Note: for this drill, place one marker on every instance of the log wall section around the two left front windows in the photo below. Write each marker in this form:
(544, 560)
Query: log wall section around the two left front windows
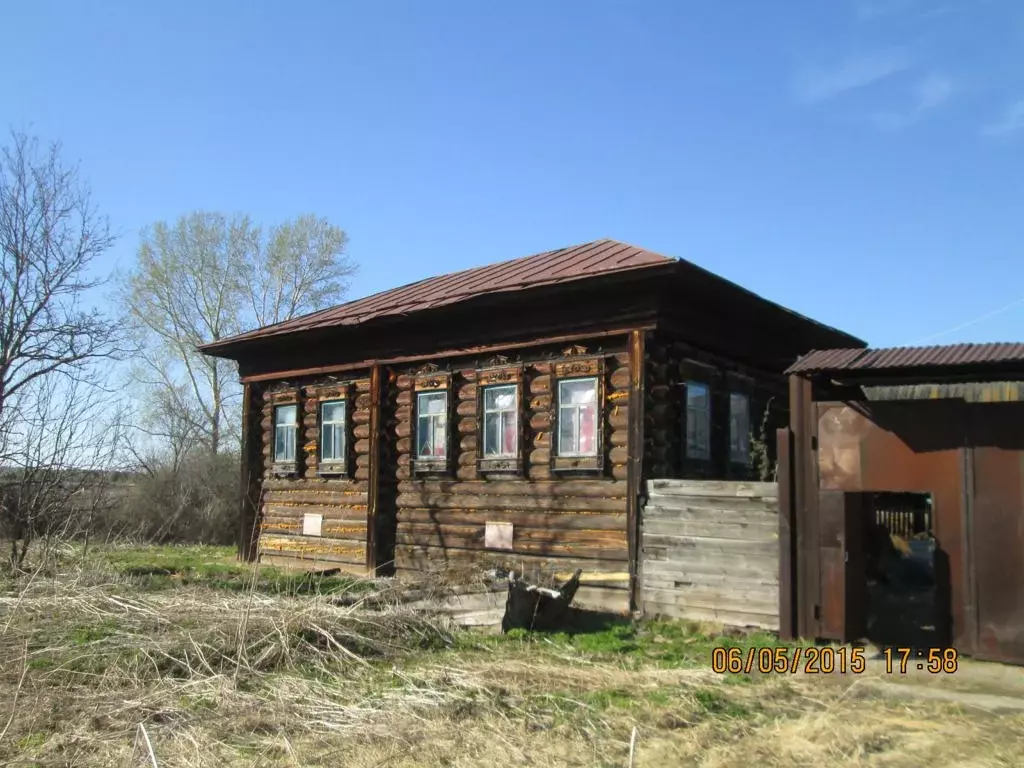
(342, 500)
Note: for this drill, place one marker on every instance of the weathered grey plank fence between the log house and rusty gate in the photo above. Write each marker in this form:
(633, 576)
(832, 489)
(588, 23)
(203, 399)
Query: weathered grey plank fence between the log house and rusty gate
(710, 552)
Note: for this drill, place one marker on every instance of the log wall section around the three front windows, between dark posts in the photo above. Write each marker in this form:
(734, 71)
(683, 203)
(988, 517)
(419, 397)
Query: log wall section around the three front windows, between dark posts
(561, 522)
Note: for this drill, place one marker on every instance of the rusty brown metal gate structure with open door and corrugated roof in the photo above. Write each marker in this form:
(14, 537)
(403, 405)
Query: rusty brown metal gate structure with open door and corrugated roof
(925, 445)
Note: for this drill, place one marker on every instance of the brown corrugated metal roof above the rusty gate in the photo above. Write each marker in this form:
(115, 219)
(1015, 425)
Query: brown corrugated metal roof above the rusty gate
(953, 356)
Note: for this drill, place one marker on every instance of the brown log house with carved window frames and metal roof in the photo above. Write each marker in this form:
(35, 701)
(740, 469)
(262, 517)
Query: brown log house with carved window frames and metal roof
(507, 416)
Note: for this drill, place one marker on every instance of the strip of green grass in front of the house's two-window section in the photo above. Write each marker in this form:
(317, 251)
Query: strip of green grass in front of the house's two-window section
(162, 568)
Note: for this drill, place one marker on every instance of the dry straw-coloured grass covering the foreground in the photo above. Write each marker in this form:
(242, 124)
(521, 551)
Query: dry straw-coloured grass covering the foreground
(102, 671)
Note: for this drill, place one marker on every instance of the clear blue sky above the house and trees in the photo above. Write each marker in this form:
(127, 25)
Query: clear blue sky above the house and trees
(860, 161)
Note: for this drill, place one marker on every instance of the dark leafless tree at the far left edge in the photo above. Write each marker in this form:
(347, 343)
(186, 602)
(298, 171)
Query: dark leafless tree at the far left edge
(51, 347)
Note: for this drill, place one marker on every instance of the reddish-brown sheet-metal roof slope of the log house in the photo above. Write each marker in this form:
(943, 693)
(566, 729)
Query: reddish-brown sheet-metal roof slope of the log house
(564, 266)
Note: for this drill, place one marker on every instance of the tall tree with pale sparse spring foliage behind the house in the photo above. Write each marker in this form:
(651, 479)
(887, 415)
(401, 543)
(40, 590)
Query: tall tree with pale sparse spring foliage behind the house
(208, 277)
